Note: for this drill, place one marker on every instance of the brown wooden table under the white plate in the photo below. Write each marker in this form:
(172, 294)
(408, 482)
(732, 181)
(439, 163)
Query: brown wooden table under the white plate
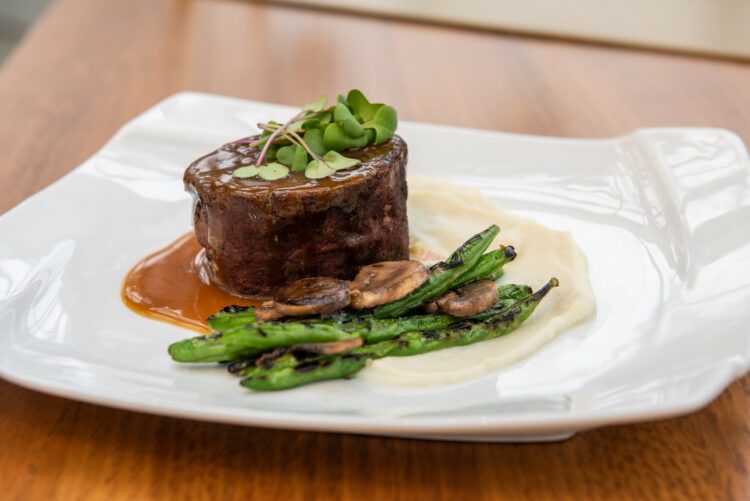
(90, 65)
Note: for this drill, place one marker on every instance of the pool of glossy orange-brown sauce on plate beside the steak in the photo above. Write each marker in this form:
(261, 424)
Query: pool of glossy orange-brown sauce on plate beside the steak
(167, 286)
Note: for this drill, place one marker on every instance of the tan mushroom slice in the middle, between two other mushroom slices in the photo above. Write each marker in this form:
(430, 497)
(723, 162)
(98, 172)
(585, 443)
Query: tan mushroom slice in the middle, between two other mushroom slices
(382, 283)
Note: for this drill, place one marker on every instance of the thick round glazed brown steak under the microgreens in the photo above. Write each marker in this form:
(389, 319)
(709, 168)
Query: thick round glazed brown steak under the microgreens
(259, 235)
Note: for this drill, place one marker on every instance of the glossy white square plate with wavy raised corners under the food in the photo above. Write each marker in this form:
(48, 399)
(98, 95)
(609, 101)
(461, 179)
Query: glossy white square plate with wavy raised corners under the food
(663, 216)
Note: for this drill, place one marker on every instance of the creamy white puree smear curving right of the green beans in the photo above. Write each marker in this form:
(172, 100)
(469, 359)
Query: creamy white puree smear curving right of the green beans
(441, 217)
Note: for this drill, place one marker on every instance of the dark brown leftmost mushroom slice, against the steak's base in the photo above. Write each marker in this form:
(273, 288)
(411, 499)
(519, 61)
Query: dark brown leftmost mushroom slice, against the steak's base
(308, 296)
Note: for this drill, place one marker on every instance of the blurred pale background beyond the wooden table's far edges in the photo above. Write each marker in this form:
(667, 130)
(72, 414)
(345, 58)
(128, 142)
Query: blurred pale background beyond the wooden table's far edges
(711, 27)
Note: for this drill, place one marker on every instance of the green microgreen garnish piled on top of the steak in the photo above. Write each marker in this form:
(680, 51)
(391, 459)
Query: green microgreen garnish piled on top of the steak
(311, 140)
